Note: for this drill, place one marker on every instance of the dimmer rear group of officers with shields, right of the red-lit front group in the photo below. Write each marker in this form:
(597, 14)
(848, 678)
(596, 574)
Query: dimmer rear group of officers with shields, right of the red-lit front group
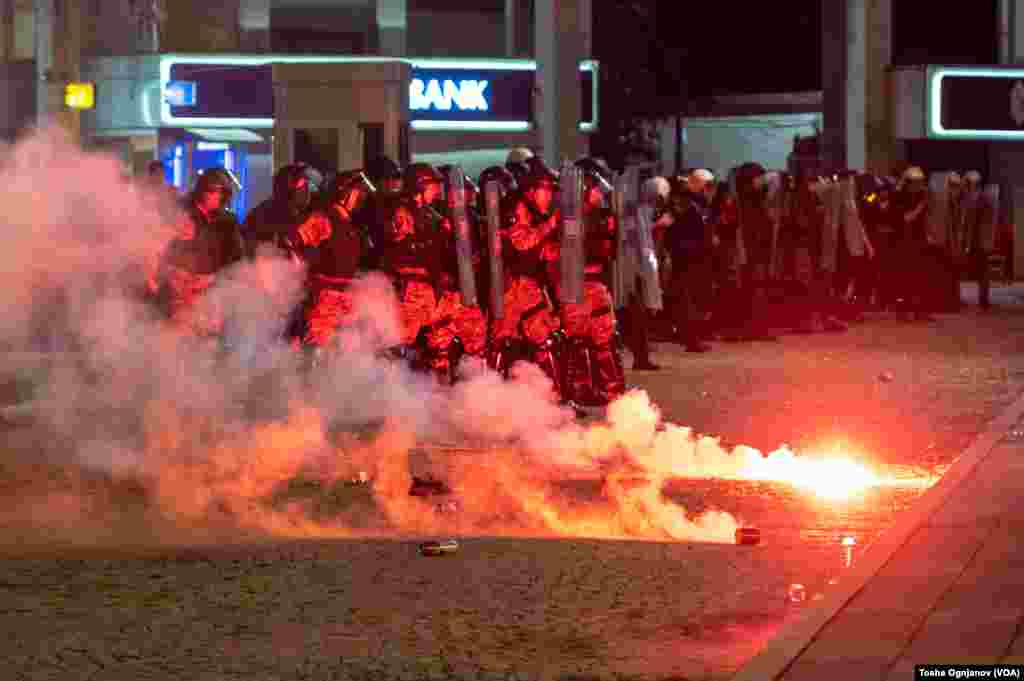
(769, 251)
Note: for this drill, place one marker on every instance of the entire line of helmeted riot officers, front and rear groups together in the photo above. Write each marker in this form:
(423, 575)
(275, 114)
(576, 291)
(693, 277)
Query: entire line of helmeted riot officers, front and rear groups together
(532, 264)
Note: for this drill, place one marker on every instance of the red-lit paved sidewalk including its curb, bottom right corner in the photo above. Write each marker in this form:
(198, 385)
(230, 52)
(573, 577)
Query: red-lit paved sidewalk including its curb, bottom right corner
(945, 585)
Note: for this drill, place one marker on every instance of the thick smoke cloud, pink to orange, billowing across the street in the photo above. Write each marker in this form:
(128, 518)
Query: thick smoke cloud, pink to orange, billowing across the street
(215, 433)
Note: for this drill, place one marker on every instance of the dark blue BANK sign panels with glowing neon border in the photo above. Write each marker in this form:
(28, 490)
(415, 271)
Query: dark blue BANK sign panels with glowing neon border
(444, 95)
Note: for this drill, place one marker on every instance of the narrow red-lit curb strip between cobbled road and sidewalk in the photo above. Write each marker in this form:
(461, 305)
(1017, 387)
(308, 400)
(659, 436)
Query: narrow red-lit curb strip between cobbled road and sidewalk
(783, 651)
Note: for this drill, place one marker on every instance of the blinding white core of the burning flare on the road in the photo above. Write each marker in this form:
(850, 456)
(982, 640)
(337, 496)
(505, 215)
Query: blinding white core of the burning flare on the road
(834, 479)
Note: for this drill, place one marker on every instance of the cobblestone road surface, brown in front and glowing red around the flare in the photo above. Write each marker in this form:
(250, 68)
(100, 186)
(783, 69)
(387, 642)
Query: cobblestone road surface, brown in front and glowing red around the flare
(508, 608)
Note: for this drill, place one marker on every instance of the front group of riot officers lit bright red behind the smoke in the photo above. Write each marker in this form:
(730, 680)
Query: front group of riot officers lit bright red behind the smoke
(519, 266)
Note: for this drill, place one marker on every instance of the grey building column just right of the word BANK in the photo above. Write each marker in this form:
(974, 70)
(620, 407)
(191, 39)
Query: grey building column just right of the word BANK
(560, 41)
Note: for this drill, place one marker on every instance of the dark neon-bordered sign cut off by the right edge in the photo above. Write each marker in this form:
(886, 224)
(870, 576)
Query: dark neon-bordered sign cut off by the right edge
(968, 103)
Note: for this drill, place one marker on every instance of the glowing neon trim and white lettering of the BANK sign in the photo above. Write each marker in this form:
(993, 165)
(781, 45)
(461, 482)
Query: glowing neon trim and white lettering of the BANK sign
(474, 96)
